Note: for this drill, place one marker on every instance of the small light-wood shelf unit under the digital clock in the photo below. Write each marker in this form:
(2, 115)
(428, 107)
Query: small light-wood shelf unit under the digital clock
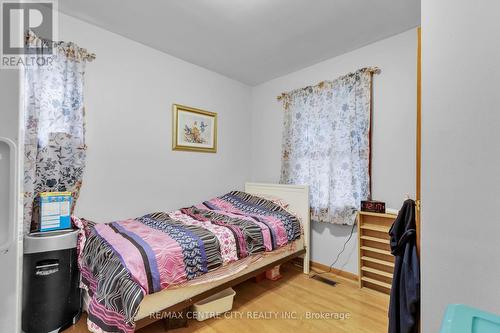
(376, 263)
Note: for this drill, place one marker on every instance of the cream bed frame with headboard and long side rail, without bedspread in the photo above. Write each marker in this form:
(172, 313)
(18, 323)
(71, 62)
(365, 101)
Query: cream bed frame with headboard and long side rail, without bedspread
(154, 306)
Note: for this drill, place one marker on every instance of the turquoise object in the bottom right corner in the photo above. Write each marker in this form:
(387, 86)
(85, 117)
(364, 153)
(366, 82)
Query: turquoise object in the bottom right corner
(461, 318)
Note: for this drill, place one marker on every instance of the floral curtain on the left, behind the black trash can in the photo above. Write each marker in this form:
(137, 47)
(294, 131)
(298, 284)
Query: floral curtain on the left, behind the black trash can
(54, 138)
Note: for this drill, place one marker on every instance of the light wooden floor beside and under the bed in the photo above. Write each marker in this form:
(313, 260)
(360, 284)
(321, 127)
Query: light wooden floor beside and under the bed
(257, 305)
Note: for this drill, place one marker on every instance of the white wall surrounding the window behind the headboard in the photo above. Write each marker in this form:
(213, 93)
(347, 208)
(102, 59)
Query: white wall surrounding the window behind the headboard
(393, 125)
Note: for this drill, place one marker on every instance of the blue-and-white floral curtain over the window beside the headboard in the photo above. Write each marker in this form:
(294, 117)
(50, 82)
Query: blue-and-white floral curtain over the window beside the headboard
(326, 145)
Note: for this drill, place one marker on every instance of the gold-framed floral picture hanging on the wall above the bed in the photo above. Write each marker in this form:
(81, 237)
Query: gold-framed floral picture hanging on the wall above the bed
(193, 129)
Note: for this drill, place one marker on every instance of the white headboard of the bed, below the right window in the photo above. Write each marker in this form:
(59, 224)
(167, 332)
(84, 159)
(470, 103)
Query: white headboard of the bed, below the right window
(297, 197)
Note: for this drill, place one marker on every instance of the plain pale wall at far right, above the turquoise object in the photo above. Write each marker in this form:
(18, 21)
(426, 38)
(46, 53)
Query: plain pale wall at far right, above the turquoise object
(460, 157)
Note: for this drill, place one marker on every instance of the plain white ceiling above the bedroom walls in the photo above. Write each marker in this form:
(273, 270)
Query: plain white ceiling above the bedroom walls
(251, 41)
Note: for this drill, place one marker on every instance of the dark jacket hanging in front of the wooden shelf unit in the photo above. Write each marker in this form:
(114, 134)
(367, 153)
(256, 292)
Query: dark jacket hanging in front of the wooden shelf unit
(404, 308)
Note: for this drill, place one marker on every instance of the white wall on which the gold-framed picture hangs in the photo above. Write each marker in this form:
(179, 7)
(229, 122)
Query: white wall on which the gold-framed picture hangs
(131, 168)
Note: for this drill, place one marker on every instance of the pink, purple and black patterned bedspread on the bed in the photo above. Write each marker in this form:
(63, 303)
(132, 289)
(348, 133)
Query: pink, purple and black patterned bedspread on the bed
(122, 261)
